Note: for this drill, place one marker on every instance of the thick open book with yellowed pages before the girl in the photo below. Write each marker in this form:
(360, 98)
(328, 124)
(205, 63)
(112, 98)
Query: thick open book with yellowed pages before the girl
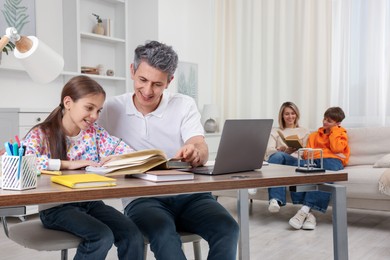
(138, 162)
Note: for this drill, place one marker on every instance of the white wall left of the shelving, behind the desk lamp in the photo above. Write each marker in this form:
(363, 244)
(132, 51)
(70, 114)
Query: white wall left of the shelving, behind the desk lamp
(17, 89)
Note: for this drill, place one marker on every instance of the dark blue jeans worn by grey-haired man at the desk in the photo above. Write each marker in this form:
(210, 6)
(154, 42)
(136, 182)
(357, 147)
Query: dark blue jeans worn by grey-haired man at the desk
(159, 218)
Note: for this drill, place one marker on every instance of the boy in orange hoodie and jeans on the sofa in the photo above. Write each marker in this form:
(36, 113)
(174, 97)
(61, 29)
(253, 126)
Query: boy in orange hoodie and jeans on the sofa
(333, 140)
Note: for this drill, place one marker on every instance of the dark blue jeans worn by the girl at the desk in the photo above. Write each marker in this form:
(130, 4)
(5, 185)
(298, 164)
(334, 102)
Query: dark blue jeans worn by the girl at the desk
(100, 226)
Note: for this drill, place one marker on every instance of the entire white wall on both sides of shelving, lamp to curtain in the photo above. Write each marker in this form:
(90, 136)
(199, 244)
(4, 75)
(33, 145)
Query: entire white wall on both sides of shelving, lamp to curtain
(187, 25)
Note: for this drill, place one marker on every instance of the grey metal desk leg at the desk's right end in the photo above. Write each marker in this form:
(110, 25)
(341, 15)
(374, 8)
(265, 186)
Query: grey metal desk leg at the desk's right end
(339, 208)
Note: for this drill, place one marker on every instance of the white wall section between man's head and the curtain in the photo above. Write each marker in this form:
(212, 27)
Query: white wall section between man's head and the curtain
(188, 26)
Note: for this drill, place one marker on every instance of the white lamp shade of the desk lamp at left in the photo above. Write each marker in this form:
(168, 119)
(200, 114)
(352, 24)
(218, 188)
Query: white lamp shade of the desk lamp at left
(42, 64)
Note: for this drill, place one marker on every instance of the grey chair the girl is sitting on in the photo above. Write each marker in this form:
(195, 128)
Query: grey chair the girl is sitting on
(31, 234)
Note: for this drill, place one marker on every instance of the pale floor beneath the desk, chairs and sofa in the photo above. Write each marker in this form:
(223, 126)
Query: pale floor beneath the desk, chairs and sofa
(272, 238)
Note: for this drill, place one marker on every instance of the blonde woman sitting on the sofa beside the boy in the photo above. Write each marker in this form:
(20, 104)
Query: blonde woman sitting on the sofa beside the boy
(279, 153)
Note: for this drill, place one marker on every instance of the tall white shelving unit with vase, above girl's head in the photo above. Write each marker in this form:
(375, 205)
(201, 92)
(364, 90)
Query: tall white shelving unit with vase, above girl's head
(83, 48)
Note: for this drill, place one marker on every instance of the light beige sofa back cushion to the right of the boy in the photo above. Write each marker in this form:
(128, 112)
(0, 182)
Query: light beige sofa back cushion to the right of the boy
(368, 144)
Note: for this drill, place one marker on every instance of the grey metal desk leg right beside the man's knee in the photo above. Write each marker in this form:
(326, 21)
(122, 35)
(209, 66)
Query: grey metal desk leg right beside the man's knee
(243, 221)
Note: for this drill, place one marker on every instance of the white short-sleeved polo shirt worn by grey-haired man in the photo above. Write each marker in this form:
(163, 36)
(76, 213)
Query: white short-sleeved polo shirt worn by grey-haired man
(167, 128)
